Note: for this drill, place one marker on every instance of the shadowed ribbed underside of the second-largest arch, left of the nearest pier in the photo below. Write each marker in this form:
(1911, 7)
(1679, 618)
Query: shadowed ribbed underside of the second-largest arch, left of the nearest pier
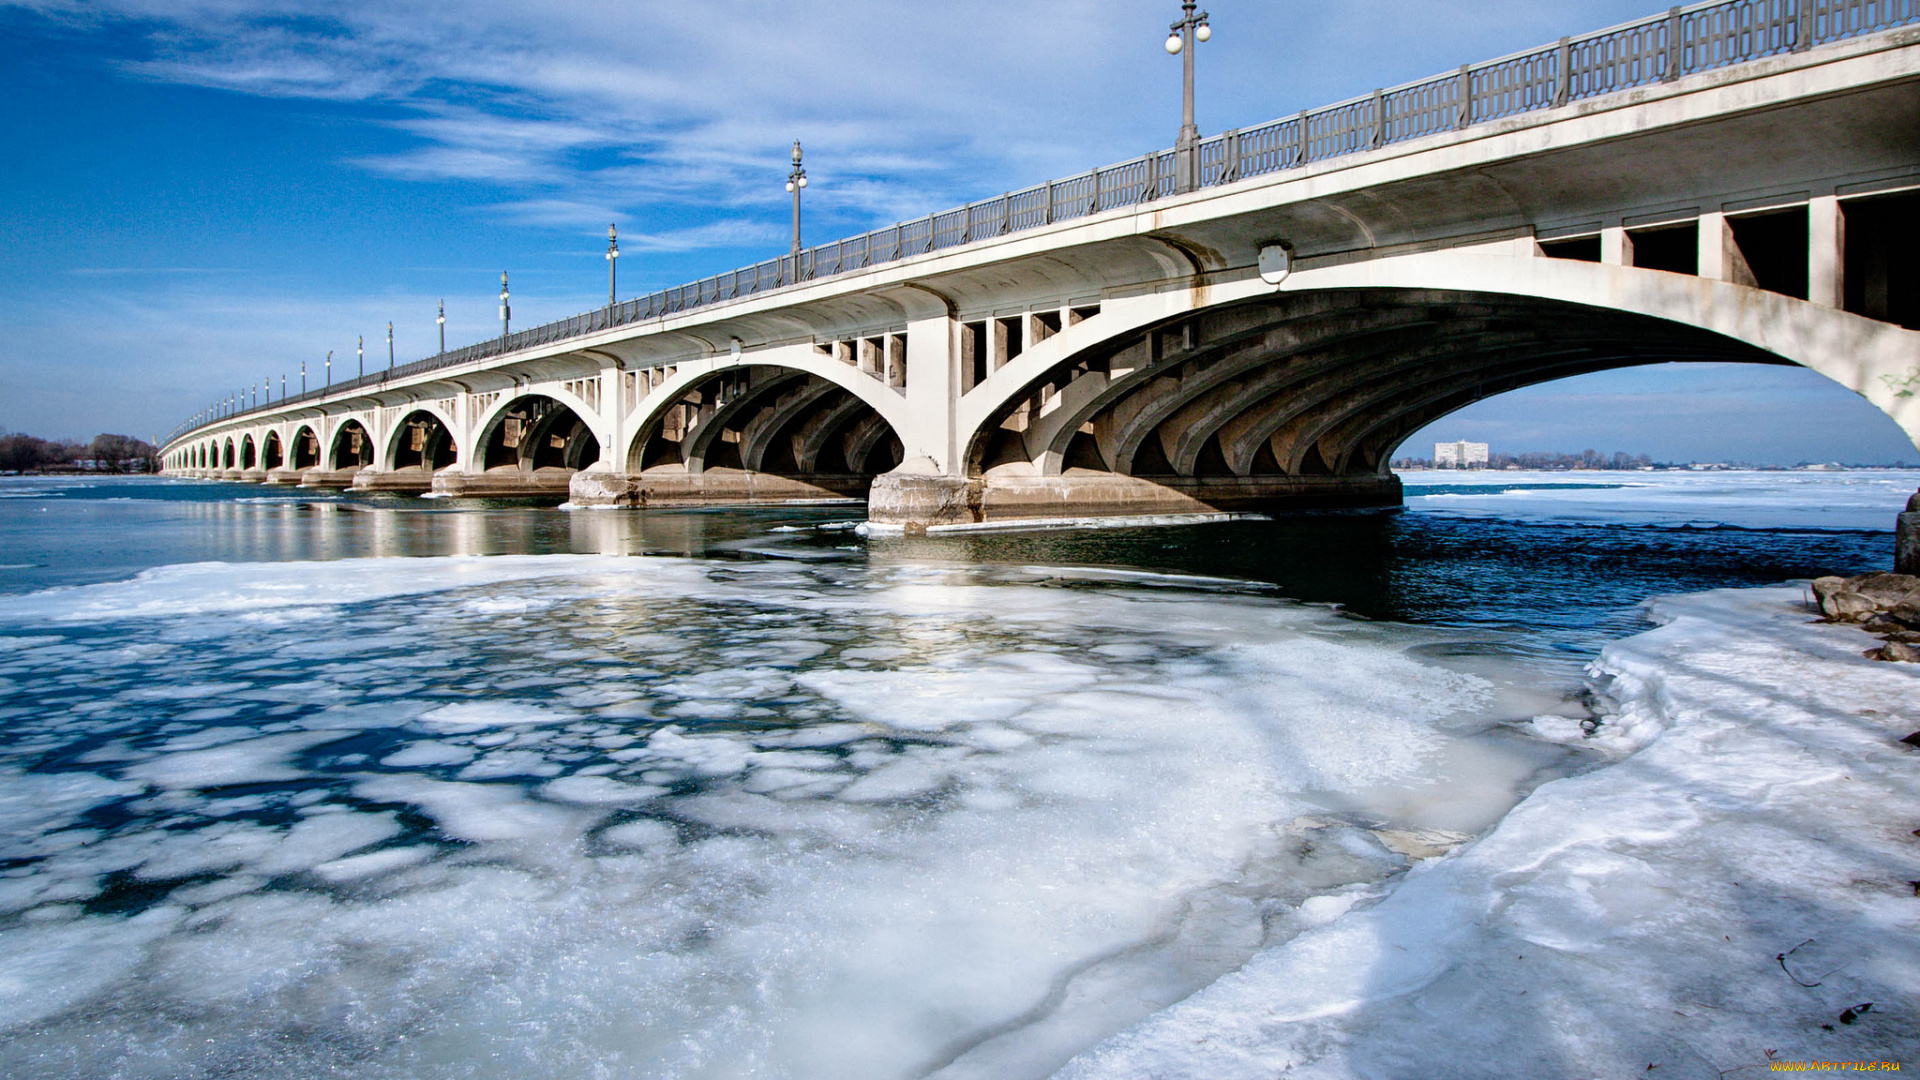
(769, 422)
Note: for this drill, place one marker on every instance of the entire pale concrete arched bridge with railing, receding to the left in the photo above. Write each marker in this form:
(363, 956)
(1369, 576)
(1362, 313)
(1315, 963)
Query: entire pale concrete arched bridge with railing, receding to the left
(1739, 189)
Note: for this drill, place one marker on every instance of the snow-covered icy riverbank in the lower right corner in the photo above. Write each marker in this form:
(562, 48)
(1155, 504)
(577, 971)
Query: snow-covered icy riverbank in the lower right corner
(1712, 904)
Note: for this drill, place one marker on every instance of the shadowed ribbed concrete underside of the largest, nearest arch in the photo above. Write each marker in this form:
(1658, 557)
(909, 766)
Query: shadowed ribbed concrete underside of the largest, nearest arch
(1310, 385)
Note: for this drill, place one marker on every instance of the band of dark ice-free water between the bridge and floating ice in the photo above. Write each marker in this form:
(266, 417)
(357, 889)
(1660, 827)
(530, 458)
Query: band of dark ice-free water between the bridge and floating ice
(1575, 585)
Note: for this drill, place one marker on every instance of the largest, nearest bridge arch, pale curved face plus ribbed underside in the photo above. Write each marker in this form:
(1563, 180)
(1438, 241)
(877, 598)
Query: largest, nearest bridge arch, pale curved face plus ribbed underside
(1328, 376)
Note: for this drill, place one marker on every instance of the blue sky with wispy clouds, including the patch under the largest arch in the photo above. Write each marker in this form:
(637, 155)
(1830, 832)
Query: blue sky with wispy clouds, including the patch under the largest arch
(201, 195)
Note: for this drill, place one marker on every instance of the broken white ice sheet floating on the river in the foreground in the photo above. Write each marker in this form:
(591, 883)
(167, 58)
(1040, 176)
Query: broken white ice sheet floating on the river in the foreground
(658, 818)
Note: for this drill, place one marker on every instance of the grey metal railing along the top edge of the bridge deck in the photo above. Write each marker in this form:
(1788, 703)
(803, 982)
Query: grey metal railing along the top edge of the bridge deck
(1685, 41)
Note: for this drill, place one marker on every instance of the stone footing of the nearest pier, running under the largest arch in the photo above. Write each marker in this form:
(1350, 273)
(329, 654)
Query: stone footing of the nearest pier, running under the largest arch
(1017, 495)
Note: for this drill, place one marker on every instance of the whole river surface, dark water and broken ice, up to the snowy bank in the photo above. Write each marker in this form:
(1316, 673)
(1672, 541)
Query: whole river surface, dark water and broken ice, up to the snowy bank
(304, 785)
